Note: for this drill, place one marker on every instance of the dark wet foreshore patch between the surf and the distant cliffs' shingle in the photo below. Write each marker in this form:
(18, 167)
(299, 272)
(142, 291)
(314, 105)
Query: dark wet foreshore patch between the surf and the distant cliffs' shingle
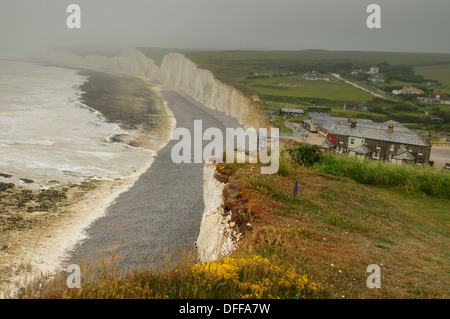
(130, 102)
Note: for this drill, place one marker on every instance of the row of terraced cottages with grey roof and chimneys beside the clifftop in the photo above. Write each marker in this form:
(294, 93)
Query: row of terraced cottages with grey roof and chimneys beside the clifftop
(390, 141)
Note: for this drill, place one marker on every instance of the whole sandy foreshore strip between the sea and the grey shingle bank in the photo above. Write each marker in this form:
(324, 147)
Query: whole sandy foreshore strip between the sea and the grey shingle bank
(39, 247)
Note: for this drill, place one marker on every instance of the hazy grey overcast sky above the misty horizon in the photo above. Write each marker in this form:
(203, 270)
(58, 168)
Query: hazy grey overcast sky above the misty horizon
(28, 26)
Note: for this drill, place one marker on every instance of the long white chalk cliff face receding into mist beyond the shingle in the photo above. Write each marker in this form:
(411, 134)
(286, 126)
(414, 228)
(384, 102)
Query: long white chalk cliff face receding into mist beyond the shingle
(178, 72)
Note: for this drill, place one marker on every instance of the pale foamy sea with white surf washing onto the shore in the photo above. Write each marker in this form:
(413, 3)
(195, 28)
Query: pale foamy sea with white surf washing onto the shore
(47, 135)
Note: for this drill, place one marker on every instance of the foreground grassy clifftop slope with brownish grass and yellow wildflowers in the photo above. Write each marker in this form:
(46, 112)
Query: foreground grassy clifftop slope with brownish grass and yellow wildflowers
(317, 243)
